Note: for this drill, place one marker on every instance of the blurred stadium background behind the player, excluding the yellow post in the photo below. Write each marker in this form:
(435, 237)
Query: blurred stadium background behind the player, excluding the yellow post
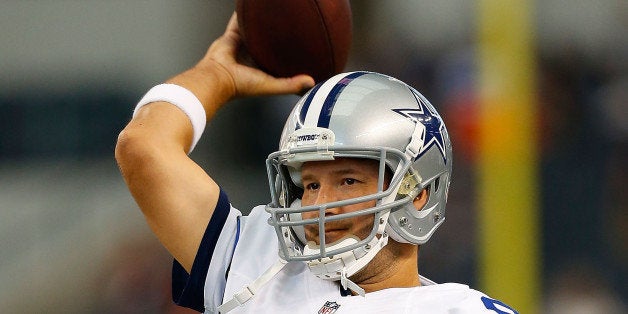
(73, 241)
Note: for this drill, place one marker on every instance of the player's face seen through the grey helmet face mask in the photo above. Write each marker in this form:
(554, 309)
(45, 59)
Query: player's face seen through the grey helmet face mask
(335, 180)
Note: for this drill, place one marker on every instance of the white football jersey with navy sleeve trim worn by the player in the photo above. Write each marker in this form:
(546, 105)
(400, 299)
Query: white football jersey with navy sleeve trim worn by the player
(243, 247)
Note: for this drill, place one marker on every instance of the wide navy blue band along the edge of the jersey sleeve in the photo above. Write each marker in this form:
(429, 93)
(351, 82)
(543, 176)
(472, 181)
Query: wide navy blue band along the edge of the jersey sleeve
(188, 289)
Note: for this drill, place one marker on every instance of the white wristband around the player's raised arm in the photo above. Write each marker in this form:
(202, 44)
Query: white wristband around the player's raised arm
(184, 100)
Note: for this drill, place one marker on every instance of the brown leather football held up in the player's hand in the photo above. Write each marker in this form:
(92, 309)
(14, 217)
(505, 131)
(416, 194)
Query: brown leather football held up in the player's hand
(289, 37)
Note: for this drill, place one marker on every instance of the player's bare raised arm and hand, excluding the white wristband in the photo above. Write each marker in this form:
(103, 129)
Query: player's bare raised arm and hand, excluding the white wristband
(176, 196)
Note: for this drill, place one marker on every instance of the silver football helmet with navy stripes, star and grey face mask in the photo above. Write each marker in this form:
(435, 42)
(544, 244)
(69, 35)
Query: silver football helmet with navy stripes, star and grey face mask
(360, 115)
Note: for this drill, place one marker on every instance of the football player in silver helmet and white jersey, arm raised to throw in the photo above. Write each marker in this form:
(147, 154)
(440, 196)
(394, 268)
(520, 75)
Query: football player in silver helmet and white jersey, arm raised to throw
(358, 183)
